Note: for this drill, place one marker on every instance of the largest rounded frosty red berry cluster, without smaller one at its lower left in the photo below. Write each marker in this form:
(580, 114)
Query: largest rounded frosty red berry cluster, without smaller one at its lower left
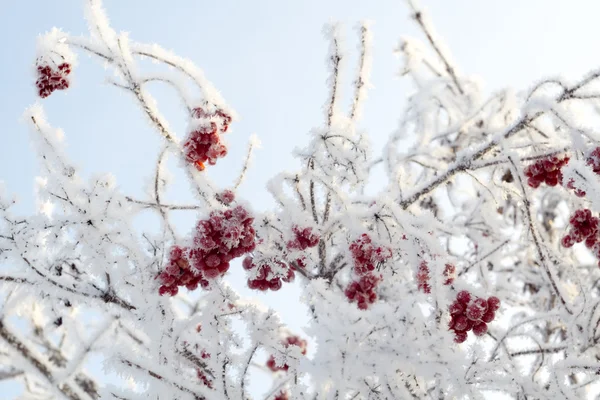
(225, 235)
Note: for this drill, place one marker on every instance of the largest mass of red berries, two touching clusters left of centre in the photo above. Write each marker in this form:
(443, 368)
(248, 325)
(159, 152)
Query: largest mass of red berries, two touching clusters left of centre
(224, 236)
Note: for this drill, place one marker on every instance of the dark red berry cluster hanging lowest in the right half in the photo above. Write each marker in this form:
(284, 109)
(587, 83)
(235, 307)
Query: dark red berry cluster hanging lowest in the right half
(467, 314)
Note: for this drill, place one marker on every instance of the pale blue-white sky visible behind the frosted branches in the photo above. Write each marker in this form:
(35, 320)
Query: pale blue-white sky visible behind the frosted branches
(268, 60)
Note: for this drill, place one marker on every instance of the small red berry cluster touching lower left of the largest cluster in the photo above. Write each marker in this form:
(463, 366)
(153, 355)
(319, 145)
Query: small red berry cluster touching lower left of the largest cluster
(177, 273)
